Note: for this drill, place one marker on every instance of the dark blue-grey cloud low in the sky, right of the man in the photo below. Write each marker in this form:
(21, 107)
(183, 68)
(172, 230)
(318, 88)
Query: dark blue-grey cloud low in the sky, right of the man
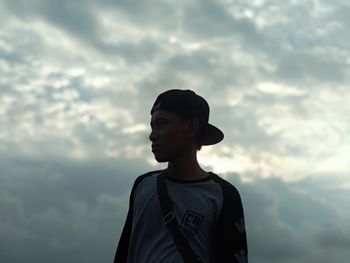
(286, 223)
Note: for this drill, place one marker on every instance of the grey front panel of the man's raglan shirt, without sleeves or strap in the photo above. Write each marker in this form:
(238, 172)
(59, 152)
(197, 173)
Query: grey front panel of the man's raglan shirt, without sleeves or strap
(197, 205)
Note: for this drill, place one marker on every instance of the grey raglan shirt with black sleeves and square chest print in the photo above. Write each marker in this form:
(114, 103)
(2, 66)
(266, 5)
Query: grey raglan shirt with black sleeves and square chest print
(209, 213)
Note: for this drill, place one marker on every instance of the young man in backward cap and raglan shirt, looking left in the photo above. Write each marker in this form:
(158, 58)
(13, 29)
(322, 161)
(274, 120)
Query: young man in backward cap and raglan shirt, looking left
(204, 221)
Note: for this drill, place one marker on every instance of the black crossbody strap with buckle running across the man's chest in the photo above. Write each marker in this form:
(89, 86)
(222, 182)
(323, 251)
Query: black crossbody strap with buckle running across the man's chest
(170, 221)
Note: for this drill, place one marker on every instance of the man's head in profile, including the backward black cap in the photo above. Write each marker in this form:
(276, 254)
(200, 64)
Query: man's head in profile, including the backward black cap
(180, 123)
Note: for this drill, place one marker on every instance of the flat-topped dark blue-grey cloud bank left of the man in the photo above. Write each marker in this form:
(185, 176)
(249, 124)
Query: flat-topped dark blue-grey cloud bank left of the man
(56, 209)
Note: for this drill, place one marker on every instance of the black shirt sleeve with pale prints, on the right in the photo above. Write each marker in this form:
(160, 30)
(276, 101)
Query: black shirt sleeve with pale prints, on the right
(230, 235)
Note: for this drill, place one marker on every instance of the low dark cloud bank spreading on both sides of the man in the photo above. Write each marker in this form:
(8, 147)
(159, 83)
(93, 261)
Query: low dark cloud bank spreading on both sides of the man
(74, 211)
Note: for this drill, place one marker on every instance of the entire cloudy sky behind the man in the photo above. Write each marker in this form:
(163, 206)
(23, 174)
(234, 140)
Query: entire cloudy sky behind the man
(78, 80)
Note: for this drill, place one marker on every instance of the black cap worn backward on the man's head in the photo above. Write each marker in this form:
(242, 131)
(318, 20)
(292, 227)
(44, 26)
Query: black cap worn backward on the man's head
(187, 102)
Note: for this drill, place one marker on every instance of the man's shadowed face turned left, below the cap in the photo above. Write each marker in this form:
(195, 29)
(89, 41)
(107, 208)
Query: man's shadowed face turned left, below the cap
(169, 135)
